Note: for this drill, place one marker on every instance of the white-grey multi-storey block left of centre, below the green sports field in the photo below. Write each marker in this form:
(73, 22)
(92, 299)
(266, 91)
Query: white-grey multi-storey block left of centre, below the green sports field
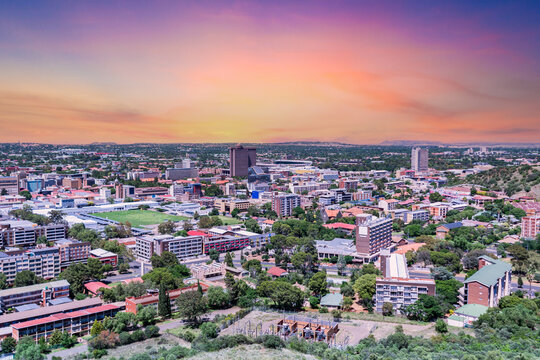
(182, 247)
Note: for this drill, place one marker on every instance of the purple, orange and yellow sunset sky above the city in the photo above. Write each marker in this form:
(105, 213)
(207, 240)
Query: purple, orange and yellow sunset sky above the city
(359, 72)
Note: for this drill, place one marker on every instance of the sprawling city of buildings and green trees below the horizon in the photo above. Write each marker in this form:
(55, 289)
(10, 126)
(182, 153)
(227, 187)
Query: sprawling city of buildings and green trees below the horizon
(331, 250)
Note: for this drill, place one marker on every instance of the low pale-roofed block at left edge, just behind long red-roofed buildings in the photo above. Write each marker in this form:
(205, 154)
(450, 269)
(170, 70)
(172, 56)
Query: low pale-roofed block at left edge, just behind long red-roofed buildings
(33, 294)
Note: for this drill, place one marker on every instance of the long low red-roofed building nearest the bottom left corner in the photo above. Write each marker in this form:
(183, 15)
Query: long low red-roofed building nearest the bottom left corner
(74, 323)
